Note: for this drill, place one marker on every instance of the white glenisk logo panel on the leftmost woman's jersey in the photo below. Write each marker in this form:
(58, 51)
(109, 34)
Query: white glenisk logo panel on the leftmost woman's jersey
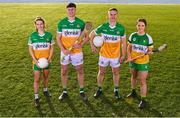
(40, 46)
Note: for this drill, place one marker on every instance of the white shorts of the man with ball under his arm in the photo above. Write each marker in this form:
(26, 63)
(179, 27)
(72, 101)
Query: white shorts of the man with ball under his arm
(113, 62)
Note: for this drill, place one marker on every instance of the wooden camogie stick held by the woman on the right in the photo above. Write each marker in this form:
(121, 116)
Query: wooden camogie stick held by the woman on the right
(159, 49)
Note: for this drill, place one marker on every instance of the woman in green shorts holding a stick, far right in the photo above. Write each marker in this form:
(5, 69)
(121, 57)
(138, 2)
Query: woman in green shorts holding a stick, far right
(140, 43)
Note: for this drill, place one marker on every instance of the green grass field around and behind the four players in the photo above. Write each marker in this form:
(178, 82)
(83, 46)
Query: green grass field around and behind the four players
(16, 78)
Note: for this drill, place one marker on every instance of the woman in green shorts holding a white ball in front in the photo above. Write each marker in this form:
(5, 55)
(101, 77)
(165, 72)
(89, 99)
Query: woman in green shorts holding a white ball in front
(40, 46)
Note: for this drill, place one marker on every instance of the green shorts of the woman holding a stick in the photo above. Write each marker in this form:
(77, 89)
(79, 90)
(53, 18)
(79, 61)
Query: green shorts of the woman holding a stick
(140, 67)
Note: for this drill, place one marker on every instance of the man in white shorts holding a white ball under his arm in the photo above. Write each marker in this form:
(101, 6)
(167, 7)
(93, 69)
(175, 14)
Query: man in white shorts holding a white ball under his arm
(110, 53)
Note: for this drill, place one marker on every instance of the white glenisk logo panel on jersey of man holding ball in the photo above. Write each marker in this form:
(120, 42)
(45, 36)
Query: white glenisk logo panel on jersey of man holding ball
(110, 38)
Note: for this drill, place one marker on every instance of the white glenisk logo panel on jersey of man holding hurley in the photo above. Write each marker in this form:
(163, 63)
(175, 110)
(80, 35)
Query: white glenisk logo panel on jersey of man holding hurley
(71, 32)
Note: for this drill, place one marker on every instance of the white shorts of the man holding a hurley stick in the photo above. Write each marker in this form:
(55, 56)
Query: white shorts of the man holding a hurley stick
(74, 59)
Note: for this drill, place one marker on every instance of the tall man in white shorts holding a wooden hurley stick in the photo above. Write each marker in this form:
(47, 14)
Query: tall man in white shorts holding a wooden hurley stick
(68, 31)
